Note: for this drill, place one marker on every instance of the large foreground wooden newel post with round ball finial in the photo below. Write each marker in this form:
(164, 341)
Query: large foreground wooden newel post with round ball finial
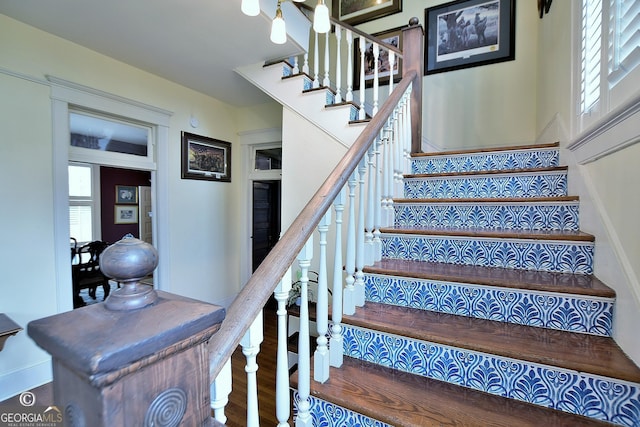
(139, 359)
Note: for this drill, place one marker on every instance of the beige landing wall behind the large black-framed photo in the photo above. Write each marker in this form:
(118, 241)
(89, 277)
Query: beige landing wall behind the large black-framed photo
(492, 105)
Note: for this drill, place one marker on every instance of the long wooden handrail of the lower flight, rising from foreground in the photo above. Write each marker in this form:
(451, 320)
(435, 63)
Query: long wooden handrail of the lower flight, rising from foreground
(257, 291)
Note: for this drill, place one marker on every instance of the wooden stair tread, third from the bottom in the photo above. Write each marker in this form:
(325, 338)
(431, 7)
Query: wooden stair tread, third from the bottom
(580, 284)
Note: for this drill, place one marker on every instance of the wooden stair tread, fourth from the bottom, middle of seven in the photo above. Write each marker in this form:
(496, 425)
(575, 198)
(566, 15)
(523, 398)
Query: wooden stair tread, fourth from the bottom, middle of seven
(577, 236)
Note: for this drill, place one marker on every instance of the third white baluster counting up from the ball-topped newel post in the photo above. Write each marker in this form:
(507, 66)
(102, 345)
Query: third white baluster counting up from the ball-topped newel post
(283, 400)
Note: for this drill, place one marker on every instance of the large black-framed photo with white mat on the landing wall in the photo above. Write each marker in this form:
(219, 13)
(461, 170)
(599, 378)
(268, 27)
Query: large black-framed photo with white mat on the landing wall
(469, 33)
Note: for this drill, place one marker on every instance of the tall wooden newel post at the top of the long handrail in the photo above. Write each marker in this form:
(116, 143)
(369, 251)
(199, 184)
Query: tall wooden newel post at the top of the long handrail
(413, 60)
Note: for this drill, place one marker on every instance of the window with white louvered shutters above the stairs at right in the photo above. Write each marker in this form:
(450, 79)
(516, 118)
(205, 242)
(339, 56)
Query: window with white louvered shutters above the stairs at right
(610, 56)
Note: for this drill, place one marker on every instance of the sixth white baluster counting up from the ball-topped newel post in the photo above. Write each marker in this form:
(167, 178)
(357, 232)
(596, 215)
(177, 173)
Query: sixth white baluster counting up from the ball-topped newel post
(335, 343)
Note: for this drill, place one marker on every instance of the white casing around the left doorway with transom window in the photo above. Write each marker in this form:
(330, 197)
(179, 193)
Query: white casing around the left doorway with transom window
(65, 94)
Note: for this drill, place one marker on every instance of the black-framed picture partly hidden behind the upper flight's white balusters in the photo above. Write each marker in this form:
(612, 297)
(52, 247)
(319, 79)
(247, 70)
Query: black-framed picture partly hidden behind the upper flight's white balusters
(391, 37)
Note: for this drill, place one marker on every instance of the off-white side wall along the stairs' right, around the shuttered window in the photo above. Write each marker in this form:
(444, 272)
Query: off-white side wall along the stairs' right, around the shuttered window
(605, 179)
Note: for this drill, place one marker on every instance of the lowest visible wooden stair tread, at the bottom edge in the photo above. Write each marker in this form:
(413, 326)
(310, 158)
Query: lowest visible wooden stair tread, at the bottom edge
(403, 399)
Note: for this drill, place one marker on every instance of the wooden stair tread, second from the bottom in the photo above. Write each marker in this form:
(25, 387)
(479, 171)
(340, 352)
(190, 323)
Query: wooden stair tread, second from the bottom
(574, 351)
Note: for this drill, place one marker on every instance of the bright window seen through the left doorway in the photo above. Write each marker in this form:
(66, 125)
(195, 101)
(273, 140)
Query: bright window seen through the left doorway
(82, 202)
